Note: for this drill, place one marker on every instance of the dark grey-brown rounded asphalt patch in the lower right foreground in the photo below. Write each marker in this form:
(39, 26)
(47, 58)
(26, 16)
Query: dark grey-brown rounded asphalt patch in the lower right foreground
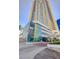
(48, 54)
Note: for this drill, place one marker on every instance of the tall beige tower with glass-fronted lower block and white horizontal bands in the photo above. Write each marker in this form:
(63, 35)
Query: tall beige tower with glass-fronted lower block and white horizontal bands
(42, 24)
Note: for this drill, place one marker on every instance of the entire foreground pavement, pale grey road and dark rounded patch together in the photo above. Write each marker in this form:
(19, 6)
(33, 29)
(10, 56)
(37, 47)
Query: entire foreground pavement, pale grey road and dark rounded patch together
(36, 52)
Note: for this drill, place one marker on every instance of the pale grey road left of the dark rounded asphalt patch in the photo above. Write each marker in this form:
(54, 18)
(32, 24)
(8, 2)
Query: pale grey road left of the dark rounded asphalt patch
(28, 52)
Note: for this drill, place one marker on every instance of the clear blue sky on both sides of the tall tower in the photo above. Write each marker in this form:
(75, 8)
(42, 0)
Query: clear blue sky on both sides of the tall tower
(25, 9)
